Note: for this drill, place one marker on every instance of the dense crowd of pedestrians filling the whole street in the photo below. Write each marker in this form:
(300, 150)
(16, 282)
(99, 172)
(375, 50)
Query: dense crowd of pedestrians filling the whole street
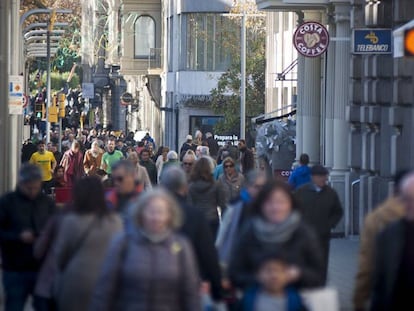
(180, 231)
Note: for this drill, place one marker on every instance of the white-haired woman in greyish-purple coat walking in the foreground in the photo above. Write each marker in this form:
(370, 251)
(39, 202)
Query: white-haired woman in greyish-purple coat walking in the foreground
(149, 267)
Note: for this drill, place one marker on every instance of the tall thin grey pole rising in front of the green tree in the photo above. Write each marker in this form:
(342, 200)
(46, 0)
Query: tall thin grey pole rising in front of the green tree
(243, 77)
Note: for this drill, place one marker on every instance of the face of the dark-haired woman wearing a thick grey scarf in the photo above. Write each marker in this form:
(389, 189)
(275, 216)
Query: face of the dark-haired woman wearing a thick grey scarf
(277, 207)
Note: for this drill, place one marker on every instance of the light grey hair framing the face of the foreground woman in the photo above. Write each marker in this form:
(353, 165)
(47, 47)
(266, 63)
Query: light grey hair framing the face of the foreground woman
(137, 207)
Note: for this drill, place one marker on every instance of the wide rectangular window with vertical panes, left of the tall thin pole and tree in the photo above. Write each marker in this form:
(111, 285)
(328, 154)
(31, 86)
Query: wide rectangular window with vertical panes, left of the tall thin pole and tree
(205, 43)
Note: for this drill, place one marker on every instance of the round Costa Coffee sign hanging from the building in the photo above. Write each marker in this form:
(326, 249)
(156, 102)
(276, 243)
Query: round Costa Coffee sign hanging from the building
(311, 39)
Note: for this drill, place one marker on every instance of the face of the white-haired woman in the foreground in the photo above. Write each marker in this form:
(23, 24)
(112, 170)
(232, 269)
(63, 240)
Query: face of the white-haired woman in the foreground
(156, 216)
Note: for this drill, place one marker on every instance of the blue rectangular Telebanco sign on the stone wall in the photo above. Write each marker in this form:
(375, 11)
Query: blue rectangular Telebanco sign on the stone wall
(372, 41)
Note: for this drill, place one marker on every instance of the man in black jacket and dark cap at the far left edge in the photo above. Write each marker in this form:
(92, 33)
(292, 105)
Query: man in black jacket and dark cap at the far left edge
(23, 214)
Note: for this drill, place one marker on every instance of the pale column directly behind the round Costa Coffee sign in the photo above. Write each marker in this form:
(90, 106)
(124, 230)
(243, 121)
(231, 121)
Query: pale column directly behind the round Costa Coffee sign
(310, 100)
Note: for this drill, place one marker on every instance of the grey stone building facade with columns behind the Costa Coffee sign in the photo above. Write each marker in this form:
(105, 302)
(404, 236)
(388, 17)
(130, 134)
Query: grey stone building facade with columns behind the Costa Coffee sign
(354, 111)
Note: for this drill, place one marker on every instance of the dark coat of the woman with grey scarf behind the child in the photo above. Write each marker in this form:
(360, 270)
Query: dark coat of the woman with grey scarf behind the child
(302, 249)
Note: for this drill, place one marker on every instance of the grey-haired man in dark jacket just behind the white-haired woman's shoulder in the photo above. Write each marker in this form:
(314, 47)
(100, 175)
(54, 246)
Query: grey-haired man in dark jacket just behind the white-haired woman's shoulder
(196, 228)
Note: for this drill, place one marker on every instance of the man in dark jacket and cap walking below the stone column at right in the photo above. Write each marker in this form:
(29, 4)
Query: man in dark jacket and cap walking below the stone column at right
(320, 208)
